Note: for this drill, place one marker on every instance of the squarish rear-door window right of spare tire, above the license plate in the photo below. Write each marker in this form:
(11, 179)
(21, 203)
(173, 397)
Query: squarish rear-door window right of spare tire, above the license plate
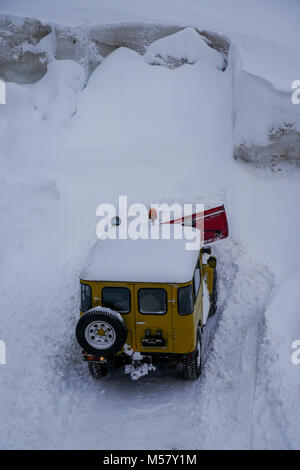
(152, 301)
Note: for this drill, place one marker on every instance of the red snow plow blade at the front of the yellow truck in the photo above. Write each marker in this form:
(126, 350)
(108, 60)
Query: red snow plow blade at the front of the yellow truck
(213, 222)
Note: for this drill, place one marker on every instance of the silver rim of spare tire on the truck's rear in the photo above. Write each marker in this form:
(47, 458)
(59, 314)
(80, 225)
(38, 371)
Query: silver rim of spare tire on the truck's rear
(100, 335)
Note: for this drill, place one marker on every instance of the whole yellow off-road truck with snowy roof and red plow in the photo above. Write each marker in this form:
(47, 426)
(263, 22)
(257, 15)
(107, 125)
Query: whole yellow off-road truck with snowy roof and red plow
(146, 301)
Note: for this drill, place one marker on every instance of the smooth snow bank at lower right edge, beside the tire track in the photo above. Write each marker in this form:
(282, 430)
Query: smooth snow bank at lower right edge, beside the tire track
(281, 356)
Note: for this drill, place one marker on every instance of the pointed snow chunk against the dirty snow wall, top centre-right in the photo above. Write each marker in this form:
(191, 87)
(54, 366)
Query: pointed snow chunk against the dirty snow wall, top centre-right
(185, 46)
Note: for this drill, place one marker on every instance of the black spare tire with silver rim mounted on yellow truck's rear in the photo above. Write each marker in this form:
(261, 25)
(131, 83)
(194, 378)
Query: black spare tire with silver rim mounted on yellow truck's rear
(101, 331)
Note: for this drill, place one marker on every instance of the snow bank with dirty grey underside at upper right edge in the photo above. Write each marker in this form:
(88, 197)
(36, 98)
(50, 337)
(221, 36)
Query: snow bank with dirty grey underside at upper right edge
(266, 123)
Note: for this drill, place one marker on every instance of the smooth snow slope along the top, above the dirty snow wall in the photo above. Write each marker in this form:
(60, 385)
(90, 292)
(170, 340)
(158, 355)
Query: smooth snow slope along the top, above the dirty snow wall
(276, 22)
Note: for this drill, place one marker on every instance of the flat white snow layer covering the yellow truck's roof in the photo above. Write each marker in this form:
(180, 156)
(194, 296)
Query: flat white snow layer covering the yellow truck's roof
(140, 261)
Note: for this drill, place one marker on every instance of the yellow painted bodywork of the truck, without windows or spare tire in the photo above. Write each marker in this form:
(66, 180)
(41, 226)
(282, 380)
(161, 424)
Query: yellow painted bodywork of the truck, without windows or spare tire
(179, 331)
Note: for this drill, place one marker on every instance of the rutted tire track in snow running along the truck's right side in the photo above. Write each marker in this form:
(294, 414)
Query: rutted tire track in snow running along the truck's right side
(221, 404)
